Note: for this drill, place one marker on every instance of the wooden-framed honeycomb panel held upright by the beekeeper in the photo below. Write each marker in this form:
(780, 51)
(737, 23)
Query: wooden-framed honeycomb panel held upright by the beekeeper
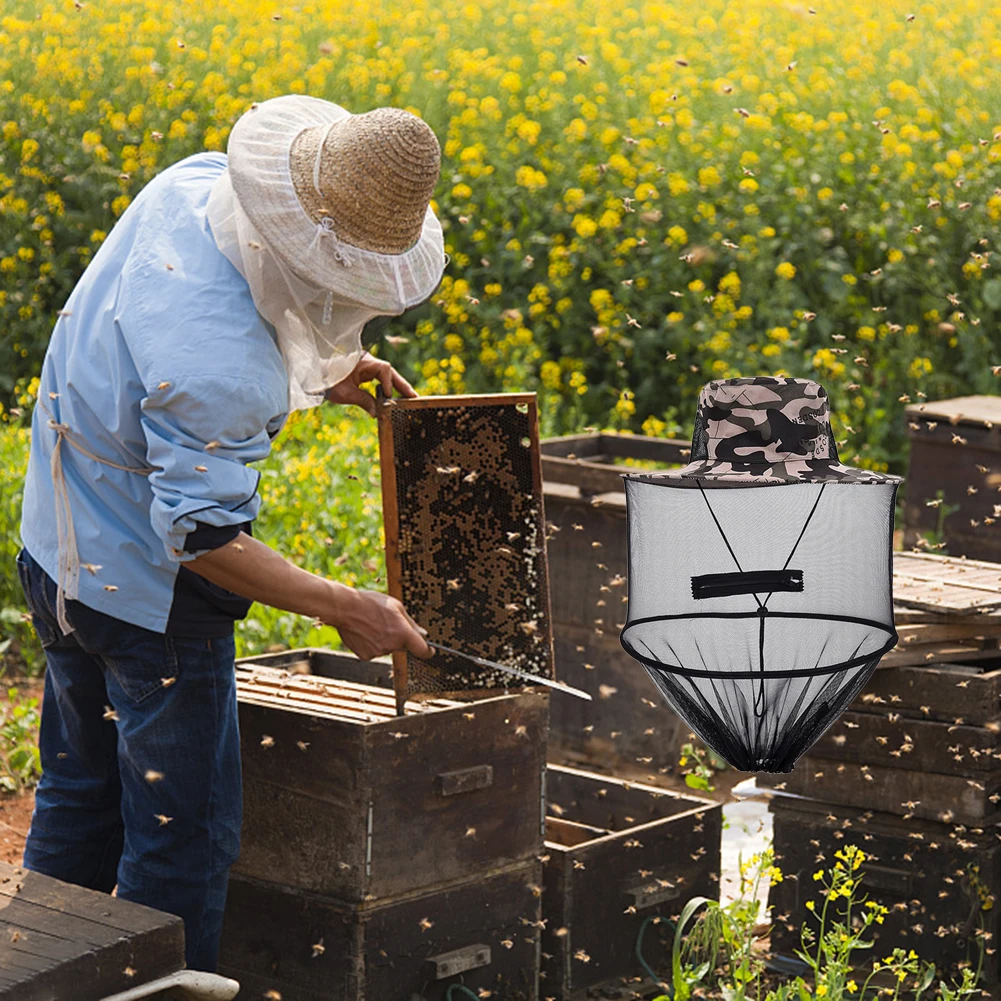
(465, 537)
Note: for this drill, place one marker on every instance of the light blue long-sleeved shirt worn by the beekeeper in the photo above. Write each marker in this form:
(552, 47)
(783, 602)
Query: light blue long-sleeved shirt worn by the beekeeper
(160, 360)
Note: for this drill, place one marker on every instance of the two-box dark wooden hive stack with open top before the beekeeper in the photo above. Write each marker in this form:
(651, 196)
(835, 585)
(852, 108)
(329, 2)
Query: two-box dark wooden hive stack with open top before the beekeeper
(384, 857)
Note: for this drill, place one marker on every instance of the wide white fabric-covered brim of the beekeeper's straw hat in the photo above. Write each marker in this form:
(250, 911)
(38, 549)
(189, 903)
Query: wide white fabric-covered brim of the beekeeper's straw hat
(258, 161)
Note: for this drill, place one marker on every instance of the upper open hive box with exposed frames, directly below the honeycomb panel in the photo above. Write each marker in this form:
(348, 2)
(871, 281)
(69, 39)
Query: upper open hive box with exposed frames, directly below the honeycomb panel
(343, 797)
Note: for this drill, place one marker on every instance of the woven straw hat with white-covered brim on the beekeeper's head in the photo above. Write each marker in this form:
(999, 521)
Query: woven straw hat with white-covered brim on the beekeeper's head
(343, 200)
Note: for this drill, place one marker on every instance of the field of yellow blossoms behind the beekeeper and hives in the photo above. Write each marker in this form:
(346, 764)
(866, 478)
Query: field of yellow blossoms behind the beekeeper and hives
(637, 198)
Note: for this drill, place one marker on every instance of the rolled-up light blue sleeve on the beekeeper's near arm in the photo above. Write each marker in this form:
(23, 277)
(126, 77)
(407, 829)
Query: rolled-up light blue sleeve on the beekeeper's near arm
(202, 432)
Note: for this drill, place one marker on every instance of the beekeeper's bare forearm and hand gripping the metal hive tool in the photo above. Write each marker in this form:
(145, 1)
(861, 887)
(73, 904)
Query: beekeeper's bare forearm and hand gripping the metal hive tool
(371, 623)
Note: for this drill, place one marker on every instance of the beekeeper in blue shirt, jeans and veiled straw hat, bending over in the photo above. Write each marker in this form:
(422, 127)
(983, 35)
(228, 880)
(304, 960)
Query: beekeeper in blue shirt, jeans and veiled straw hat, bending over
(233, 291)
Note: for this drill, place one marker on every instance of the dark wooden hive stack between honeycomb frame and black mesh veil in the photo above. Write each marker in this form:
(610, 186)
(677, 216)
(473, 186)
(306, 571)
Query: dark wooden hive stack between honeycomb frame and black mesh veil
(628, 723)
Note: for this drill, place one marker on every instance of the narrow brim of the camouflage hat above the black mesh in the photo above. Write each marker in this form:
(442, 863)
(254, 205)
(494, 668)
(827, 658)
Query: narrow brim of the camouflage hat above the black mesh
(800, 471)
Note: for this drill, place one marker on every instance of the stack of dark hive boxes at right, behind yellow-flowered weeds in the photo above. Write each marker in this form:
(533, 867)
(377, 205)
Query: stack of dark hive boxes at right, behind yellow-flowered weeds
(912, 775)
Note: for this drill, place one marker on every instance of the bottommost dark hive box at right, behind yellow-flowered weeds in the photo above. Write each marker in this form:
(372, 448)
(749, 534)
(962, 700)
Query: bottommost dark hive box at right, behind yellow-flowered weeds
(925, 873)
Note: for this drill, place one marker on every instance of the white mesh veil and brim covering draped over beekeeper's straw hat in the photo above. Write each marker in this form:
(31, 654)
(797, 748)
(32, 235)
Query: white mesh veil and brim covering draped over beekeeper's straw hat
(319, 325)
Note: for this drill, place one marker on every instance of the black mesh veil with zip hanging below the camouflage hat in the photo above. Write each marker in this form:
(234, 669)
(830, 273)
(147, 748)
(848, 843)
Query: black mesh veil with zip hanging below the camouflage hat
(760, 612)
